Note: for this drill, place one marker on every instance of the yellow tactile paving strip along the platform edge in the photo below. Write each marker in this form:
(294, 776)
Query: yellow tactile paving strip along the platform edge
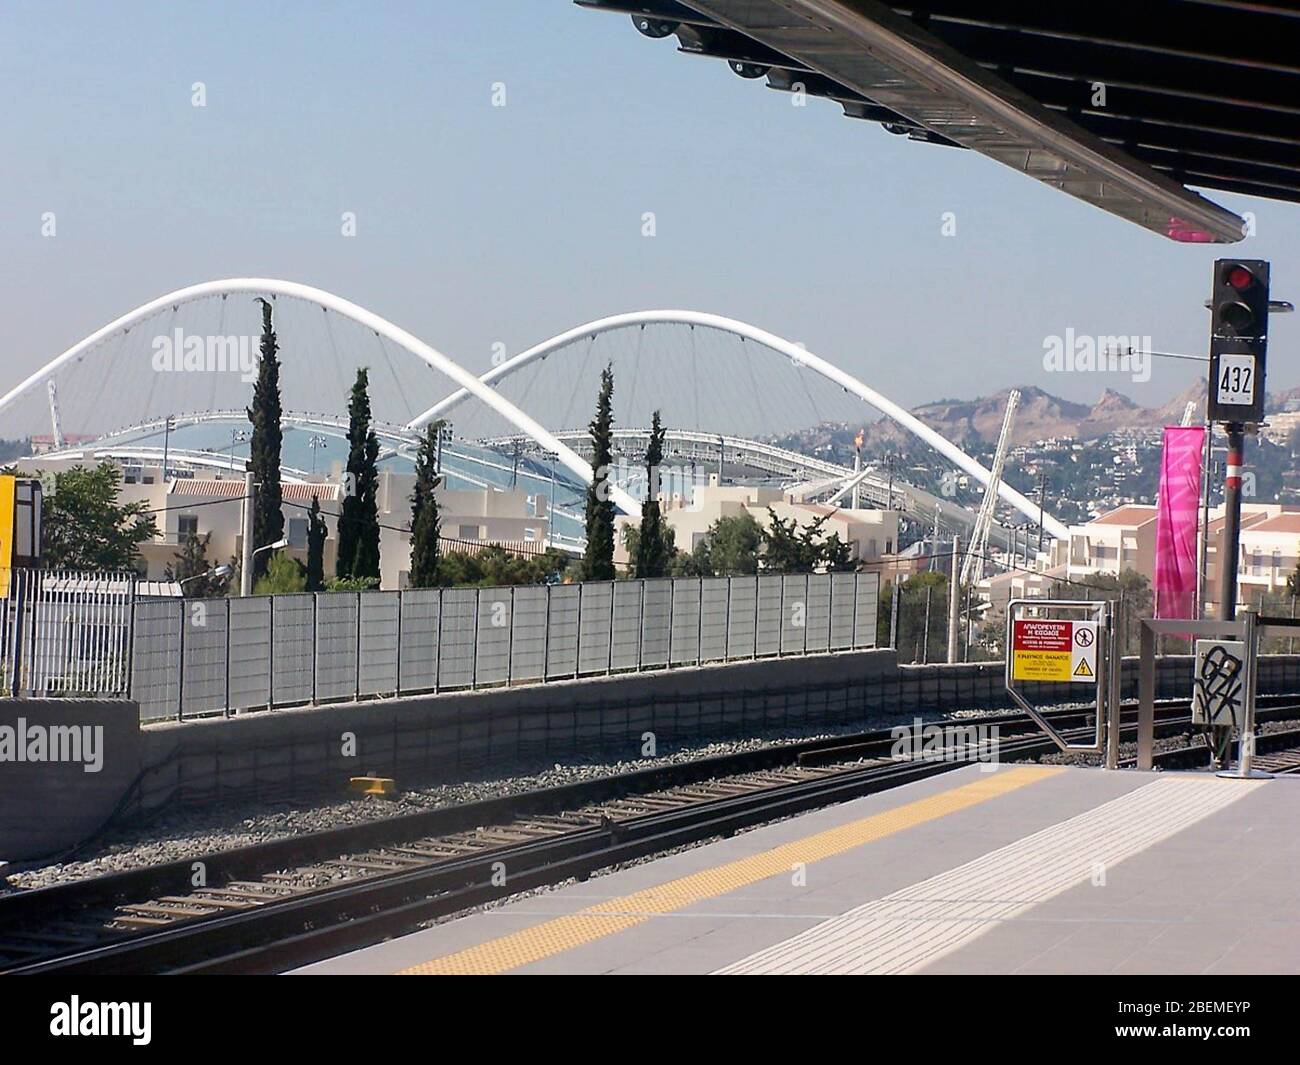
(564, 934)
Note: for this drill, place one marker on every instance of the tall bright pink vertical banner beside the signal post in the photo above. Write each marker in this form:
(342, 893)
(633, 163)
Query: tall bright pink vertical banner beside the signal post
(1178, 512)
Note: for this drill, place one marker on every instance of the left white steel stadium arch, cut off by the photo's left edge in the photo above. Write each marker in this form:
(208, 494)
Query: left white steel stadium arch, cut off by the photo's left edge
(402, 339)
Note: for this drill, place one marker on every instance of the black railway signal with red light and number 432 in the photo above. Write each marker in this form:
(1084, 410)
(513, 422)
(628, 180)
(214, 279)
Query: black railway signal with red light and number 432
(1240, 337)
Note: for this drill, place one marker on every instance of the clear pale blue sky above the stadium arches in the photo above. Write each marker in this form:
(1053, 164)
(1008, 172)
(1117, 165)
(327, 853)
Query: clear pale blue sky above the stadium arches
(482, 224)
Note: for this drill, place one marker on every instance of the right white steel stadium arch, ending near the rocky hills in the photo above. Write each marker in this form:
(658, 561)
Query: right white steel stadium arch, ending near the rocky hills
(799, 356)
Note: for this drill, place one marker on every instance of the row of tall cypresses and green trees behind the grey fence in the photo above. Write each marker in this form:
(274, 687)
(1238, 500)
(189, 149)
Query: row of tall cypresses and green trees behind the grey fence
(88, 529)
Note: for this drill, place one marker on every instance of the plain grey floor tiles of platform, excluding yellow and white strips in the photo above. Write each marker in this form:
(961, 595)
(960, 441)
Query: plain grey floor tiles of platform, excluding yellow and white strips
(1223, 897)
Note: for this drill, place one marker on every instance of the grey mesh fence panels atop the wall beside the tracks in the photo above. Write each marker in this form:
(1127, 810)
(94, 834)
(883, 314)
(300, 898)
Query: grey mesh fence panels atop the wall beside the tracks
(198, 657)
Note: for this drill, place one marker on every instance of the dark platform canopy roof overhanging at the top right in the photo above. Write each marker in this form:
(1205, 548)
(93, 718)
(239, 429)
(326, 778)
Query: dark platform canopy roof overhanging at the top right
(1120, 105)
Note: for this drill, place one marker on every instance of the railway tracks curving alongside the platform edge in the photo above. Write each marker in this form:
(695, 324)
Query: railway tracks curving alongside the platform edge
(285, 903)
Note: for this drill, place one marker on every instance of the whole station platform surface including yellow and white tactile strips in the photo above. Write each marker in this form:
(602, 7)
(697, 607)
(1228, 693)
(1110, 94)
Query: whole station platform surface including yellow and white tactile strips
(987, 869)
